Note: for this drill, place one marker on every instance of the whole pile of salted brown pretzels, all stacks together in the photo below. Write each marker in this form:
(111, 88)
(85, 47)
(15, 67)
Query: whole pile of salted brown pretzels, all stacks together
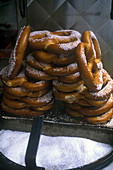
(63, 65)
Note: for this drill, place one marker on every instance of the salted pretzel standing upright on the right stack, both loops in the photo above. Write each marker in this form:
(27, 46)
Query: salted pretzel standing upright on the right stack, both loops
(89, 61)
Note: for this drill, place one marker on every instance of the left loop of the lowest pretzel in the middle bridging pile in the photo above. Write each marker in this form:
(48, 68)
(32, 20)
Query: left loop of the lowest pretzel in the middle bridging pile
(37, 74)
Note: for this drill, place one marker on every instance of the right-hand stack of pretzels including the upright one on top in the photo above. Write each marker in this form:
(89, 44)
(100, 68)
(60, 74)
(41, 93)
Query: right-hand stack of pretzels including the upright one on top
(96, 103)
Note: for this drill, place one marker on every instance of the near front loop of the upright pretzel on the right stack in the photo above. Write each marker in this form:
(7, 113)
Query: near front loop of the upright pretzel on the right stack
(86, 57)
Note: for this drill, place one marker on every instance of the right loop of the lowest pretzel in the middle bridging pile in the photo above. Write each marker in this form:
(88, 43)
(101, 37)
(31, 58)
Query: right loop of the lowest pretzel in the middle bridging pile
(72, 78)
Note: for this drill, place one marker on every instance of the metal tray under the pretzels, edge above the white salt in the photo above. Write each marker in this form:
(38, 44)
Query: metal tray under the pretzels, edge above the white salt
(58, 123)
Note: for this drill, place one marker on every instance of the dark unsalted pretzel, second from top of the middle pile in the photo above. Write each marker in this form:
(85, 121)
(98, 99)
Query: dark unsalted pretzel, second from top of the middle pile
(57, 59)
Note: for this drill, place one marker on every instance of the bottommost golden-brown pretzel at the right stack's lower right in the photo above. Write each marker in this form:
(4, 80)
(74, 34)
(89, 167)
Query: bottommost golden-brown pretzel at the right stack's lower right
(101, 118)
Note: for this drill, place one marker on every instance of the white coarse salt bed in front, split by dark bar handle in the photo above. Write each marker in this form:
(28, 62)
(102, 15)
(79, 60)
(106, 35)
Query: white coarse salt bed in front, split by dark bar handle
(56, 153)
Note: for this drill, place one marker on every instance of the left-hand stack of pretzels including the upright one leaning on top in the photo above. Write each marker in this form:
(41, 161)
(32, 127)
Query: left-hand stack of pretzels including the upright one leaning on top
(23, 95)
